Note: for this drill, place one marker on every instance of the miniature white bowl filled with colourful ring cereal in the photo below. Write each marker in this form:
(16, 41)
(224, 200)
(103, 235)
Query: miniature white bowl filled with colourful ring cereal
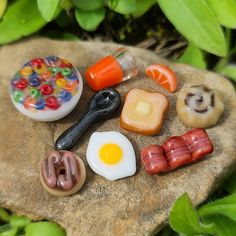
(46, 89)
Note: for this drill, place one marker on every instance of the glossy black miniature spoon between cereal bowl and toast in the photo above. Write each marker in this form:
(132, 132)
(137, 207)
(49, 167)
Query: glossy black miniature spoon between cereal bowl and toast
(102, 106)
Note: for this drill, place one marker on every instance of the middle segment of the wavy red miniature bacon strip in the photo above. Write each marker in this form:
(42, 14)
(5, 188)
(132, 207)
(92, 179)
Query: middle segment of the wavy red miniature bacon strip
(177, 152)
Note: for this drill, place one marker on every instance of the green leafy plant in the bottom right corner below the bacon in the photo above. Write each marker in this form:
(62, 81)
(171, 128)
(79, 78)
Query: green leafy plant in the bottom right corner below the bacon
(216, 217)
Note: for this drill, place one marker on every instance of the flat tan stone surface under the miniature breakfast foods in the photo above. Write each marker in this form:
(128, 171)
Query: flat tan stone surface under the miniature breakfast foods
(133, 206)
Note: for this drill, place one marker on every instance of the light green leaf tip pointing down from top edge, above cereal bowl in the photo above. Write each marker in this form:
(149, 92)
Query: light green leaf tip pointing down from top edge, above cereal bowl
(48, 8)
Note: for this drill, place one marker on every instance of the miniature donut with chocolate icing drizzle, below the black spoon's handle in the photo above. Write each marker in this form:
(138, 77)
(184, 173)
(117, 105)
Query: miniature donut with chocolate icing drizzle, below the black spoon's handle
(62, 173)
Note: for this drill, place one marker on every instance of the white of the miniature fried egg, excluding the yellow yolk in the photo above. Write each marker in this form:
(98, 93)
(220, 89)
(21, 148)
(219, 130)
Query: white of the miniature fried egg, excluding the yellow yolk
(124, 168)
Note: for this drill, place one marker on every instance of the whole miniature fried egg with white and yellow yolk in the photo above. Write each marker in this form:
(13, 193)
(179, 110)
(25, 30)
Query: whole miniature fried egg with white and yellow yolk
(111, 155)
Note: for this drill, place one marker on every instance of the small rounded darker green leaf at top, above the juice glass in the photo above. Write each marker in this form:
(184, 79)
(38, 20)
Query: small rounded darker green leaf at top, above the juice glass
(89, 20)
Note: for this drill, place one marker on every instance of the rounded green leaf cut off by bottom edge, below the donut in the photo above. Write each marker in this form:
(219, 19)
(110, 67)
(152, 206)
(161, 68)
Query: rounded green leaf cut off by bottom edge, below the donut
(44, 228)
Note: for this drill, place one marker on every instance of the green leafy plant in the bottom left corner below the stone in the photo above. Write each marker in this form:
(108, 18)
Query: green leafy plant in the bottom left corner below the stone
(15, 225)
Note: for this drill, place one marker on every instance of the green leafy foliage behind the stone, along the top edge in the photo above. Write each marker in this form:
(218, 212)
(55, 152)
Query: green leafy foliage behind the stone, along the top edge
(206, 24)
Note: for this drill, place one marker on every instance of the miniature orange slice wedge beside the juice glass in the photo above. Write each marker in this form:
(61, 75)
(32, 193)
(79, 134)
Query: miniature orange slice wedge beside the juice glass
(163, 75)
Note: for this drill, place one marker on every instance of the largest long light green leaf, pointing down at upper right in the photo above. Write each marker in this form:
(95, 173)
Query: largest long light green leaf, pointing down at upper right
(197, 22)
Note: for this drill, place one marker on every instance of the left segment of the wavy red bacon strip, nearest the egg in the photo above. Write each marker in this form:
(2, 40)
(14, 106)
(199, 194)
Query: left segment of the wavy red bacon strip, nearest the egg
(153, 159)
